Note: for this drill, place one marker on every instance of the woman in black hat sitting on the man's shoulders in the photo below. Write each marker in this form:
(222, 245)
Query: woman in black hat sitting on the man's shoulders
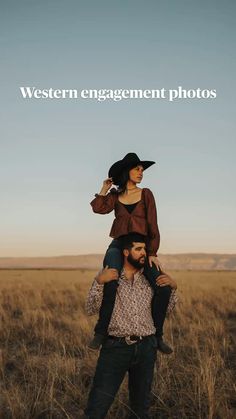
(135, 211)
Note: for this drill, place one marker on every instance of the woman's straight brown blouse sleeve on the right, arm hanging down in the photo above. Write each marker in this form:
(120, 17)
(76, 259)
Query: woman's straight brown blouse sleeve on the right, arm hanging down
(153, 230)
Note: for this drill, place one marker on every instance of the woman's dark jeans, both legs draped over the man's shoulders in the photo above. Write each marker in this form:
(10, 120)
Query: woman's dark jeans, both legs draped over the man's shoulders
(114, 259)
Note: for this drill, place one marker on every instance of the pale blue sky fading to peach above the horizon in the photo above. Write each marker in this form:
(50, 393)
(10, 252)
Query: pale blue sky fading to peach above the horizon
(55, 154)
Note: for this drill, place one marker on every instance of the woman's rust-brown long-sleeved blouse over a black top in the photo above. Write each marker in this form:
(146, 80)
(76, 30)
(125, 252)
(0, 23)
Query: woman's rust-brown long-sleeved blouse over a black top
(143, 219)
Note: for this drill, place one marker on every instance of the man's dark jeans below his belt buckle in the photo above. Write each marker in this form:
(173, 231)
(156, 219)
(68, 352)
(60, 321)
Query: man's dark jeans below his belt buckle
(115, 359)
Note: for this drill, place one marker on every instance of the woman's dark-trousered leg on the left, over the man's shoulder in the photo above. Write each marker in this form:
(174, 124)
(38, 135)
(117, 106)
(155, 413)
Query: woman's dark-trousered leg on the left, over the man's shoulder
(113, 259)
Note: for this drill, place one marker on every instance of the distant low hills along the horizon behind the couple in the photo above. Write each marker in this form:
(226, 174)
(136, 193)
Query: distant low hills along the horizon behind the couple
(183, 261)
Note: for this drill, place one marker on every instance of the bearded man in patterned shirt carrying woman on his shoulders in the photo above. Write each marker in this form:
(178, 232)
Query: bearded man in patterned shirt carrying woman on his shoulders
(131, 345)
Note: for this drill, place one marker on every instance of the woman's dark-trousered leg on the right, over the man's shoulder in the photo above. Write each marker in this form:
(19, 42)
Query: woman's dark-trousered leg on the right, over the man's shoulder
(160, 299)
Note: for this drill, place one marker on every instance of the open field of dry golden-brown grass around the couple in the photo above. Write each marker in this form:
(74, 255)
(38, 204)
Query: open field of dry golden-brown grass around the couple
(46, 369)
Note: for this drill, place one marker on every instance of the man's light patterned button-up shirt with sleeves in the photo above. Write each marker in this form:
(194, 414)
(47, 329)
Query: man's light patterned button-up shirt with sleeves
(132, 310)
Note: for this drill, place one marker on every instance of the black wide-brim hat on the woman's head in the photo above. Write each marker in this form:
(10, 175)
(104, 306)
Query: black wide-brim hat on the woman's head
(130, 161)
